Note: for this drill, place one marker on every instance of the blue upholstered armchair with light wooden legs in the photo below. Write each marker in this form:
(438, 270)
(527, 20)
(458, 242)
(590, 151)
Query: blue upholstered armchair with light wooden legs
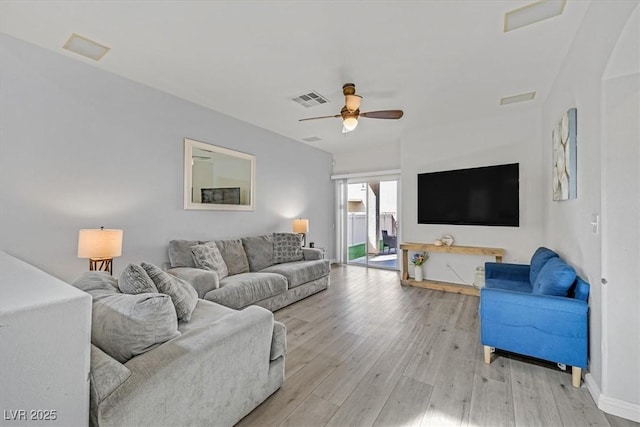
(538, 310)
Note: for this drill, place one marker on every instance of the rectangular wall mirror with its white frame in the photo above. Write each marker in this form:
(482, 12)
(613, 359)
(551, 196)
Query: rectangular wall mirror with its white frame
(217, 178)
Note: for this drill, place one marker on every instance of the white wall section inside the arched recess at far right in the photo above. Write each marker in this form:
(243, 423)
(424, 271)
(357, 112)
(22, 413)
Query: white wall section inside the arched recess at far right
(621, 221)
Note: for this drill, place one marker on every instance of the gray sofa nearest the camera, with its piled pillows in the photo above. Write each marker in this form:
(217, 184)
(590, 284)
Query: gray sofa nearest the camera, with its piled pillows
(150, 369)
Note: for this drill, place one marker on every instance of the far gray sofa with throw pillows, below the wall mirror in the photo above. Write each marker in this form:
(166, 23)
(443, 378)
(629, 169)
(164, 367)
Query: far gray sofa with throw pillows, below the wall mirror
(271, 271)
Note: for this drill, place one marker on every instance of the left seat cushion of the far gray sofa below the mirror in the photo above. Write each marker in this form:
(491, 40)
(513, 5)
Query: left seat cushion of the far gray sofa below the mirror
(241, 290)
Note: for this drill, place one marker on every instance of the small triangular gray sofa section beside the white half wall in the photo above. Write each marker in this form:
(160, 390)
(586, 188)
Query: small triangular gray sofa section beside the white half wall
(106, 374)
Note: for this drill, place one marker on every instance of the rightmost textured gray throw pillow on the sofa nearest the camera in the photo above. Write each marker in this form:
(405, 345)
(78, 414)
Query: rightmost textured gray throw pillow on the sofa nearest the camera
(183, 295)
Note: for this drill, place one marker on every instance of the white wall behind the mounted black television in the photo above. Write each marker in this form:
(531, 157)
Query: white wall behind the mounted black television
(514, 137)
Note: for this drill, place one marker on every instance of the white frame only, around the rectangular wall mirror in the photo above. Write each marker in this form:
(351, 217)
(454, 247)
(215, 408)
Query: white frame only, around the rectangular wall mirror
(189, 145)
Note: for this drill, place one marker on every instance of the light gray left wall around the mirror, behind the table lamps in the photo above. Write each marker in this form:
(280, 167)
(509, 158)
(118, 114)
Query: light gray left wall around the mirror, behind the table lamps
(83, 148)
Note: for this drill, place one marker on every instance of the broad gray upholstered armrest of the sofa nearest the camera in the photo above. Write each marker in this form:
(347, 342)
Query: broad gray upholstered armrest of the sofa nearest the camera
(209, 370)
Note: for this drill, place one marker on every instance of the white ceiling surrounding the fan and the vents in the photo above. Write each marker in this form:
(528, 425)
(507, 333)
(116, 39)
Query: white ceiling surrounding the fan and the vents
(439, 61)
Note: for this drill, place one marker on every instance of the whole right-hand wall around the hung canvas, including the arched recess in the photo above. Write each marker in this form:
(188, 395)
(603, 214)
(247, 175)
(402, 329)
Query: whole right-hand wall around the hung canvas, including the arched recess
(614, 377)
